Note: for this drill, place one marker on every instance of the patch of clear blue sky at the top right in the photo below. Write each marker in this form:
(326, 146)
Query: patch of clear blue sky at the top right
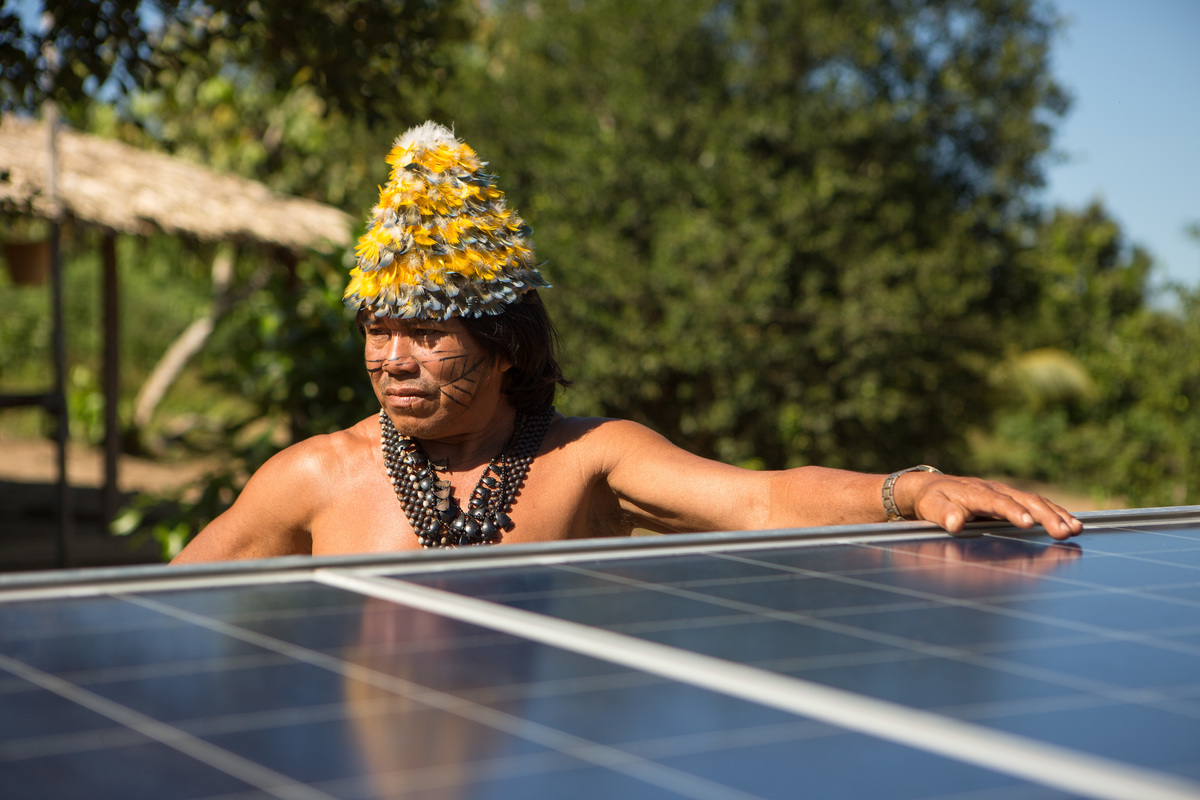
(1133, 135)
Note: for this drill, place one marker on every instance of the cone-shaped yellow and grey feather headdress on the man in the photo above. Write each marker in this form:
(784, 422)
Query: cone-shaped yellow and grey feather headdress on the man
(441, 243)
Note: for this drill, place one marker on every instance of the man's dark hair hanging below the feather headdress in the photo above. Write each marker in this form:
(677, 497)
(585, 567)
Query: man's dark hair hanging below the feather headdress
(525, 336)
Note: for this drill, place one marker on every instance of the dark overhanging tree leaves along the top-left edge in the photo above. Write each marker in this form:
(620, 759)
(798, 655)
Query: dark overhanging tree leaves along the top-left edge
(359, 57)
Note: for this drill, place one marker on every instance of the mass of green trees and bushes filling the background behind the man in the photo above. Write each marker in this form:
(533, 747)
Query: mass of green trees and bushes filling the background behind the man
(782, 232)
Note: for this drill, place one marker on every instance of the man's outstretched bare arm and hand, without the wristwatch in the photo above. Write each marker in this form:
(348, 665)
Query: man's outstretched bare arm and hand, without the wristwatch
(668, 489)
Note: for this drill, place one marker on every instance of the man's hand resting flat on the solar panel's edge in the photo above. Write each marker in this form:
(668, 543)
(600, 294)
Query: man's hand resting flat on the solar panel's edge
(953, 502)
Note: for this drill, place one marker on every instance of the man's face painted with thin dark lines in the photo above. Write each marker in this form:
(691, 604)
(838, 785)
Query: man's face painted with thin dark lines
(434, 380)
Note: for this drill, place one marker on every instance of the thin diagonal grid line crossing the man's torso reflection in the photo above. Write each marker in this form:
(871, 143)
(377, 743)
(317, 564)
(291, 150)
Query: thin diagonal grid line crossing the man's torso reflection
(667, 778)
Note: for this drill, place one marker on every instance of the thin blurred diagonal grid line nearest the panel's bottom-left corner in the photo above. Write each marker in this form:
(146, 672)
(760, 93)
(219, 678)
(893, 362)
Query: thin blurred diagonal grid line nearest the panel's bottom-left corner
(253, 774)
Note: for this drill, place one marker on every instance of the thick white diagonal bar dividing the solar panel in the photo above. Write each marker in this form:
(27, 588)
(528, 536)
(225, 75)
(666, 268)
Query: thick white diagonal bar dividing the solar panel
(1007, 754)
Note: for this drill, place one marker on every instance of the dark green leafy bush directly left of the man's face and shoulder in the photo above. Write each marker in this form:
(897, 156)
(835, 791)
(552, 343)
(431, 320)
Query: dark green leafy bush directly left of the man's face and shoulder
(292, 356)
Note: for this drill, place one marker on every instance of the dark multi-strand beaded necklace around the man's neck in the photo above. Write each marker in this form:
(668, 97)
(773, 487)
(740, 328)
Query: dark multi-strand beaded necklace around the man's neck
(435, 514)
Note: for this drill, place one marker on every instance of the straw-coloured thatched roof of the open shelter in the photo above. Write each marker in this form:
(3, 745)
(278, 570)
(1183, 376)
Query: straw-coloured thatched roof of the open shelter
(115, 185)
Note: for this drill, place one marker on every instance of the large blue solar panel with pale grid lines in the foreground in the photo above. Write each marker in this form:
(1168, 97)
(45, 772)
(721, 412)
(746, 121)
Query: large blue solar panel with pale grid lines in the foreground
(880, 661)
